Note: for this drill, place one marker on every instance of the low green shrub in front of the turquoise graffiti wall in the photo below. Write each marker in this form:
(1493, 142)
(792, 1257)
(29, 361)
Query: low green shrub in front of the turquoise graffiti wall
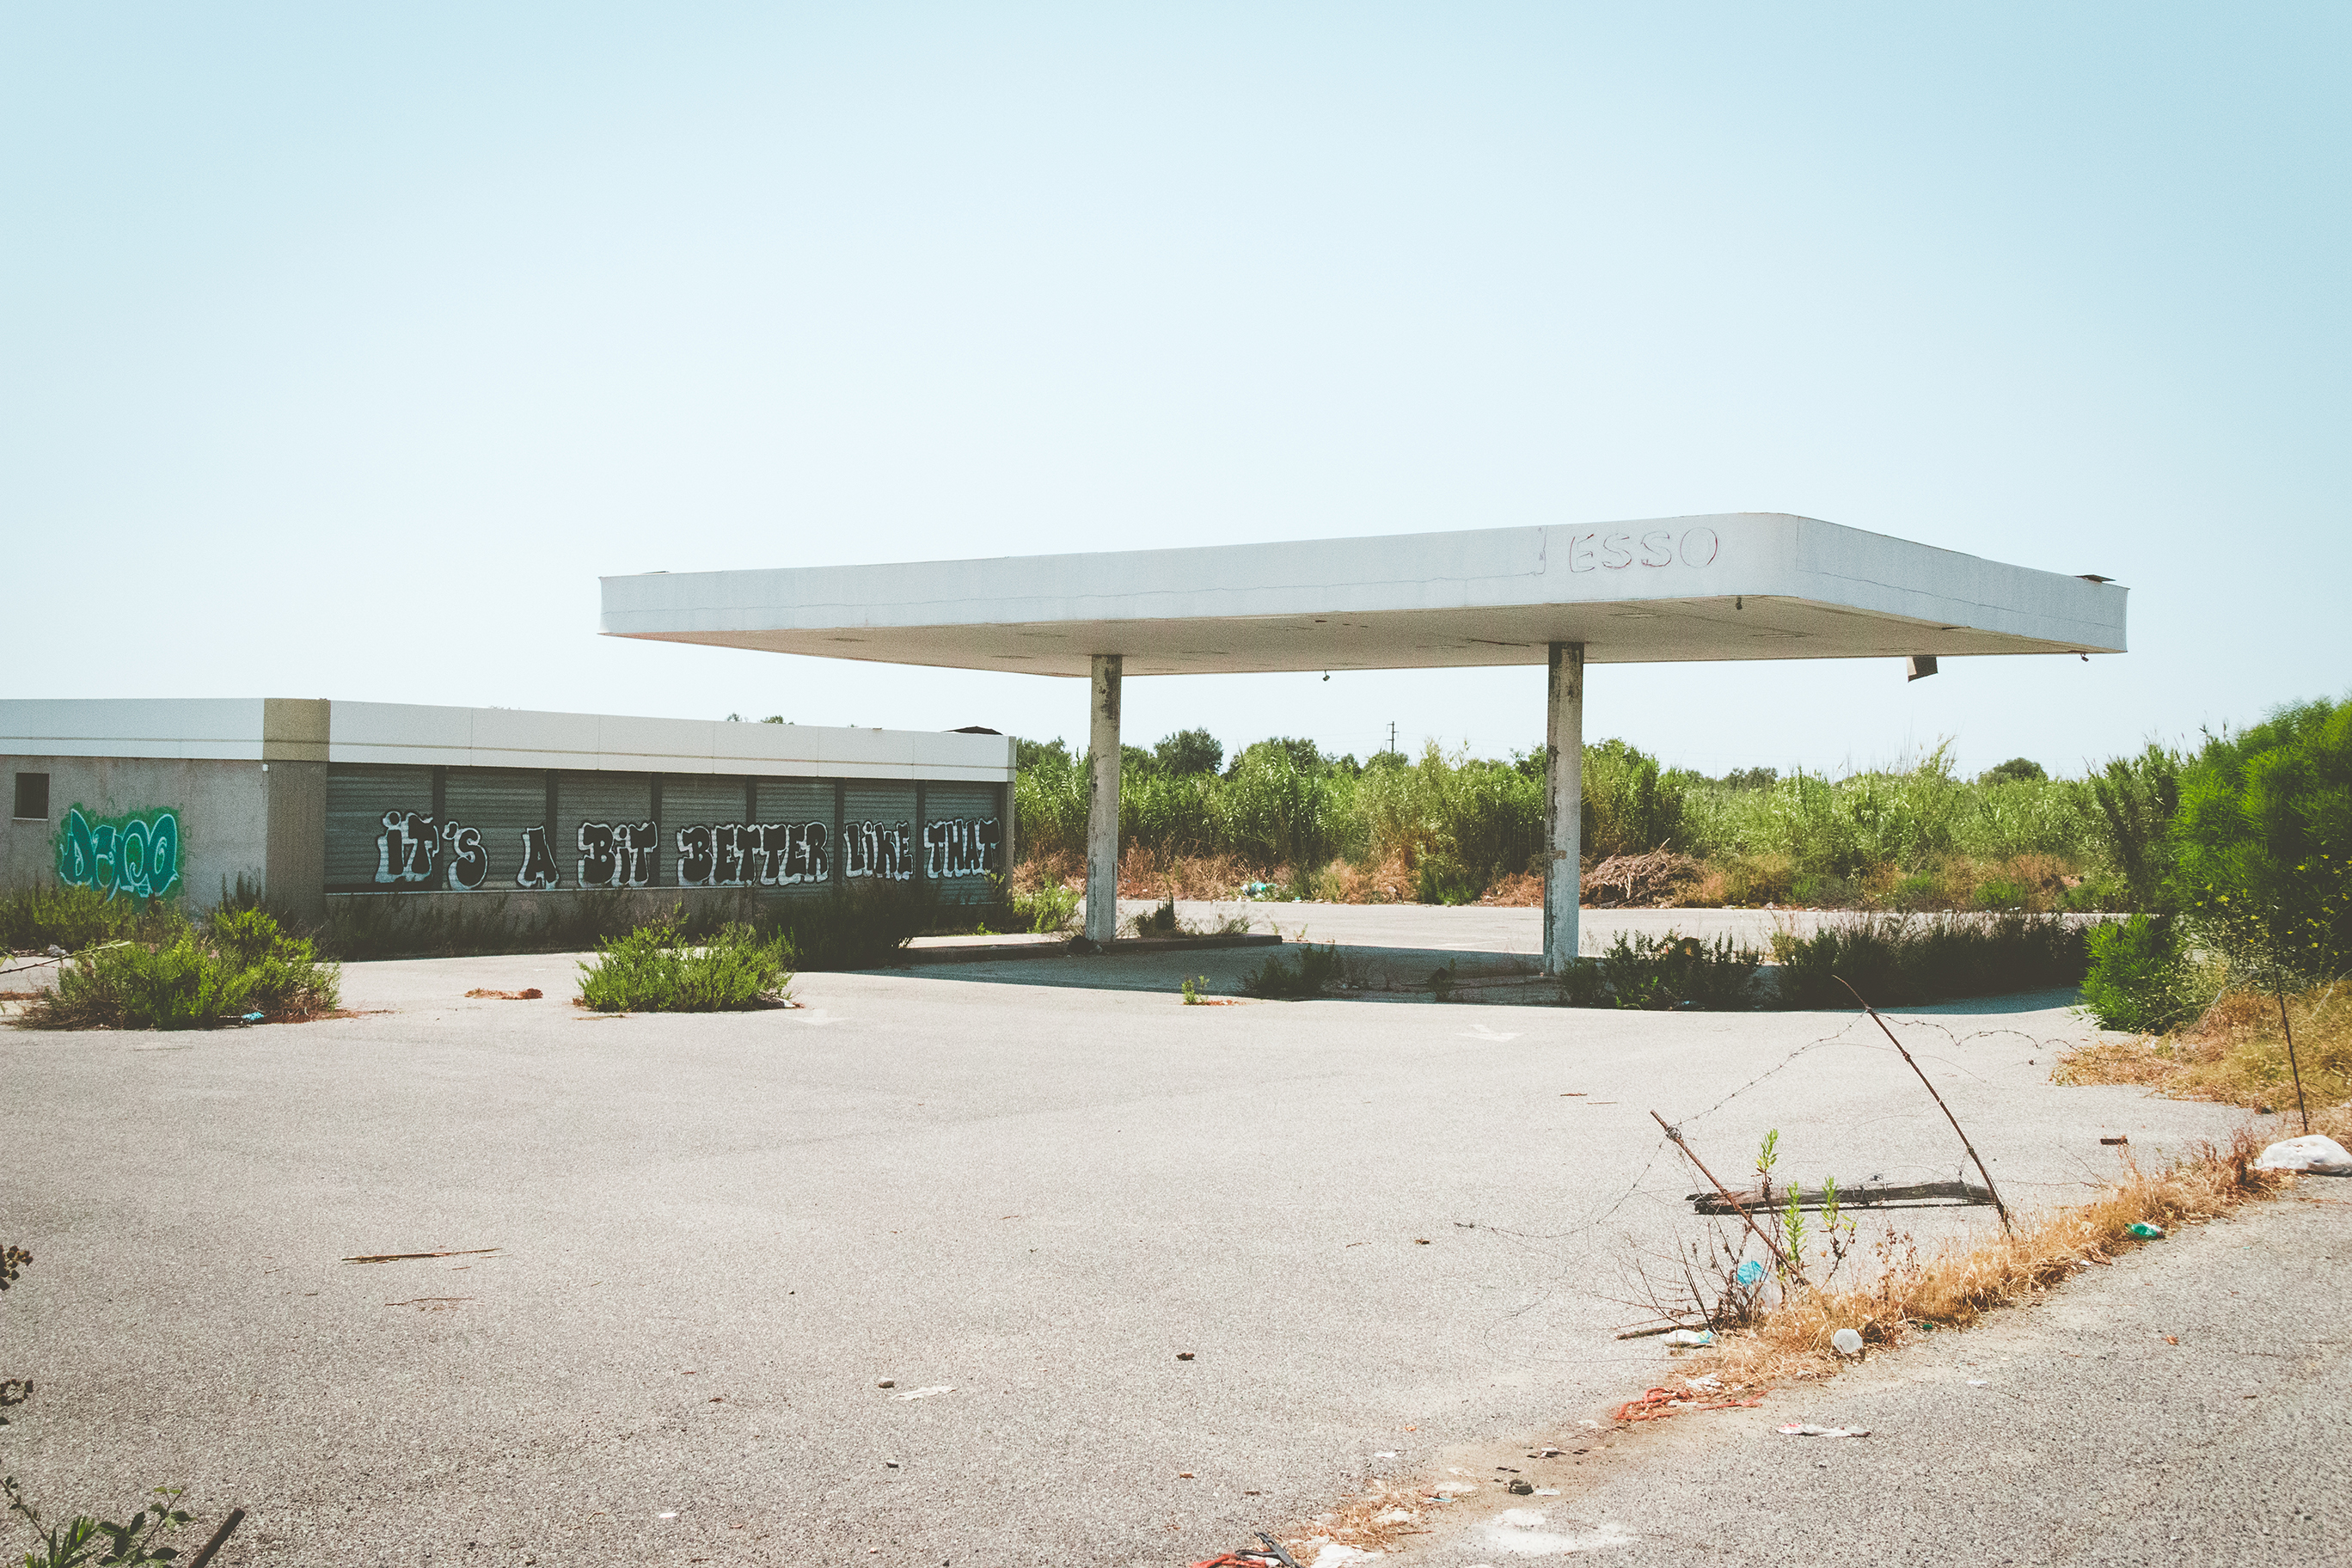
(192, 981)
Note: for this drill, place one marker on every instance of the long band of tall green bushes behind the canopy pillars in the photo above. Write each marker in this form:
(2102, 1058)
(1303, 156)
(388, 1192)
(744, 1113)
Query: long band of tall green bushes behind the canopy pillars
(1285, 805)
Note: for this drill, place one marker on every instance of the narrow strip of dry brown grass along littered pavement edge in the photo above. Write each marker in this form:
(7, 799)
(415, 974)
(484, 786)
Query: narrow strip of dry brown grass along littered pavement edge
(1963, 1280)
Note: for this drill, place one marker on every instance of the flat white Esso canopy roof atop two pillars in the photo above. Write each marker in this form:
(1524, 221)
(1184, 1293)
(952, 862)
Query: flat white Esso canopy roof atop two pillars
(1659, 591)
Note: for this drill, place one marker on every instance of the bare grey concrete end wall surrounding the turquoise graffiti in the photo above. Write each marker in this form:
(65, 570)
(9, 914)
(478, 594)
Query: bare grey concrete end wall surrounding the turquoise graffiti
(222, 812)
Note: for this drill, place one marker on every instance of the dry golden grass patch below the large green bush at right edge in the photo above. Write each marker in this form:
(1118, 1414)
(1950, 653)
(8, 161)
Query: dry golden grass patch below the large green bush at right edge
(2238, 1054)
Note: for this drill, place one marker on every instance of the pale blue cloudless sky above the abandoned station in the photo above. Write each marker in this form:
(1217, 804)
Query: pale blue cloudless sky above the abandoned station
(347, 347)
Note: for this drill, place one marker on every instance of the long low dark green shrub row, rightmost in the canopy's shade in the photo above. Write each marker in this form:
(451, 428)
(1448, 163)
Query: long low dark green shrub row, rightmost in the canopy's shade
(1902, 958)
